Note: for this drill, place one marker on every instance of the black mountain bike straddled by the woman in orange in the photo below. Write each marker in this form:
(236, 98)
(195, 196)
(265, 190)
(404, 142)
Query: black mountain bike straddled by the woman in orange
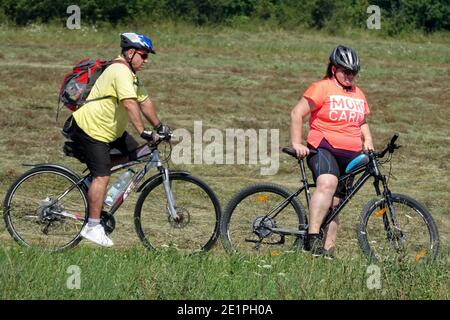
(391, 225)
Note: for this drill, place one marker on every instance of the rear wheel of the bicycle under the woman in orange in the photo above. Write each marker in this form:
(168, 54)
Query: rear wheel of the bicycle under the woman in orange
(244, 228)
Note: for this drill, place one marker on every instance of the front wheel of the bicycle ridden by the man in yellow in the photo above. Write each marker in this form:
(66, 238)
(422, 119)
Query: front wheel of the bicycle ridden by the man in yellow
(196, 205)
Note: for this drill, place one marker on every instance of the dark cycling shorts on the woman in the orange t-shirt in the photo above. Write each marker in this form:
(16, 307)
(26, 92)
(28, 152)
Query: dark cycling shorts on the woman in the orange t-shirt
(329, 160)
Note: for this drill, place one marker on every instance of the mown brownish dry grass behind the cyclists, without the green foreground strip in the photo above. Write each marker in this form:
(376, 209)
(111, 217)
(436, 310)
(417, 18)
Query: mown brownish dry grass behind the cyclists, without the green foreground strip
(235, 79)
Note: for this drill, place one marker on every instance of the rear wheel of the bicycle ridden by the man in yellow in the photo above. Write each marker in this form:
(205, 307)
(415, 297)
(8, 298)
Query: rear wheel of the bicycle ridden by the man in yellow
(45, 208)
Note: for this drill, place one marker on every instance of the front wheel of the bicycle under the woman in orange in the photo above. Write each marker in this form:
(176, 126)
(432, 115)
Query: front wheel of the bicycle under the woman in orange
(414, 236)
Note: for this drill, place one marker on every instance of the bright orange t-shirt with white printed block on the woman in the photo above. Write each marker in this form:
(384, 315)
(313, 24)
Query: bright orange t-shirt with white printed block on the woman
(338, 116)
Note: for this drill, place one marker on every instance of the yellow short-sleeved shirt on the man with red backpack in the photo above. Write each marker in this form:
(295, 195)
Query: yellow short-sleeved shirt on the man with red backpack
(106, 119)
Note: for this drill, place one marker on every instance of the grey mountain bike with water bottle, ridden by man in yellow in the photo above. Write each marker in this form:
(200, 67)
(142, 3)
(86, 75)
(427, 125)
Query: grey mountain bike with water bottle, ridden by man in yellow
(48, 205)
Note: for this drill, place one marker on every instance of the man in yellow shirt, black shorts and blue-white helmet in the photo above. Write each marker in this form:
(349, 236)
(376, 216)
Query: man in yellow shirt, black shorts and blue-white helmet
(100, 124)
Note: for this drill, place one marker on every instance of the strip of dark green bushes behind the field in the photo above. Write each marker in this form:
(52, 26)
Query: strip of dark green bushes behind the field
(398, 16)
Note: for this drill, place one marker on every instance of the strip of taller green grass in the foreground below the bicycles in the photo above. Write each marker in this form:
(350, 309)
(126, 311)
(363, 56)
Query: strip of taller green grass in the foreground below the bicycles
(138, 274)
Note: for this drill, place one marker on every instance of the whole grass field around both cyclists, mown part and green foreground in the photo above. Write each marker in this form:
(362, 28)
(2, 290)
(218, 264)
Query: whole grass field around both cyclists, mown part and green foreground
(242, 80)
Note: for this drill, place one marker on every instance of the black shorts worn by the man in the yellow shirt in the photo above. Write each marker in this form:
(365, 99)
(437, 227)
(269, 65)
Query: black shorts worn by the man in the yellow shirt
(97, 153)
